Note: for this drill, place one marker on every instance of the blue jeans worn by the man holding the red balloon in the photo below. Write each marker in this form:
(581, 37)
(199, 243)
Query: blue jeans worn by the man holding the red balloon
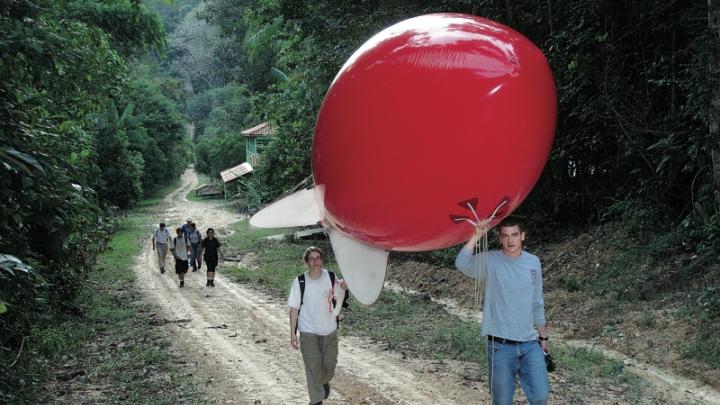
(526, 360)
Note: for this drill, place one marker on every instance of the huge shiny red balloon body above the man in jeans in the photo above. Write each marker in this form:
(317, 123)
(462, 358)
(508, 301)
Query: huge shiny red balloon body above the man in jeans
(430, 113)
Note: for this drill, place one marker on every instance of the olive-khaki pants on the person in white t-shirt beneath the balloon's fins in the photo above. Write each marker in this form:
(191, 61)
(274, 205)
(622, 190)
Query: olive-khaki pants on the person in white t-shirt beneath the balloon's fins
(320, 358)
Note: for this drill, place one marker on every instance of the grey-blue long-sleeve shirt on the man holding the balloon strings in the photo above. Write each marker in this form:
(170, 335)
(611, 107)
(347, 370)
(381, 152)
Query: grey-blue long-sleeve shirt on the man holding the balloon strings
(513, 300)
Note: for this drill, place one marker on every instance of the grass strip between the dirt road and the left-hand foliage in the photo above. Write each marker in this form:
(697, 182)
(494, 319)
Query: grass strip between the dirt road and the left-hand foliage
(108, 349)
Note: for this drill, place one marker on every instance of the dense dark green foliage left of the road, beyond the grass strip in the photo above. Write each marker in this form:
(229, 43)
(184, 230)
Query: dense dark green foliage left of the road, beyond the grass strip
(78, 135)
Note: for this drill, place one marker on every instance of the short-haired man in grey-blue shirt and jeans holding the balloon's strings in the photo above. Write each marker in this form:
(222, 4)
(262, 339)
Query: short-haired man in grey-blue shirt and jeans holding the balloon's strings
(513, 313)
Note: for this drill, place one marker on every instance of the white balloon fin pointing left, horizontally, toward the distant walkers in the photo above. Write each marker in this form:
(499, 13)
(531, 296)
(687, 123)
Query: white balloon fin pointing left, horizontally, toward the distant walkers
(297, 209)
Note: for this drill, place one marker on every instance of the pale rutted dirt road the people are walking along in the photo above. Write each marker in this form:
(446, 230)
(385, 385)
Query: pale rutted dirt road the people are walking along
(236, 339)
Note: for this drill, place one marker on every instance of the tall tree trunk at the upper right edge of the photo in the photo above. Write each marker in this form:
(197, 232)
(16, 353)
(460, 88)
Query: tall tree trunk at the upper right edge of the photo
(714, 81)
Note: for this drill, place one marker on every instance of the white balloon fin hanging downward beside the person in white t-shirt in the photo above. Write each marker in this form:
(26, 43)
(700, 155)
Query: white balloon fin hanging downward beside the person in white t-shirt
(362, 266)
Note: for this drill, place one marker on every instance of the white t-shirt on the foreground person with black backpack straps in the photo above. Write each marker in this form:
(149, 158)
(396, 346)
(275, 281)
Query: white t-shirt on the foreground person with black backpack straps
(316, 316)
